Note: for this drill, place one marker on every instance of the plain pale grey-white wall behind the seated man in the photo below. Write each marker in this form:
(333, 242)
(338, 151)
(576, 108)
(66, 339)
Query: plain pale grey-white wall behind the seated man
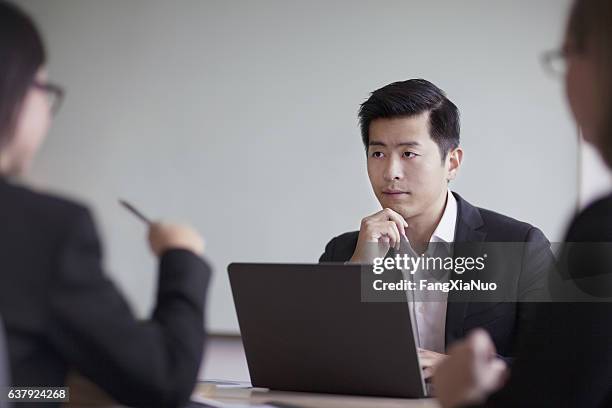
(240, 117)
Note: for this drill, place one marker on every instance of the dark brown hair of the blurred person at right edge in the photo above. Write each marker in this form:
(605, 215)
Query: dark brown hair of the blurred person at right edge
(590, 31)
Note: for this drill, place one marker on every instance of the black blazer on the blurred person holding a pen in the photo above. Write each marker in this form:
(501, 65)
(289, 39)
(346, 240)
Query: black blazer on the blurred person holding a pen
(61, 311)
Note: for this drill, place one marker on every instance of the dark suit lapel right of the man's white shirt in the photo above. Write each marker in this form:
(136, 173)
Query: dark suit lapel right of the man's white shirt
(470, 232)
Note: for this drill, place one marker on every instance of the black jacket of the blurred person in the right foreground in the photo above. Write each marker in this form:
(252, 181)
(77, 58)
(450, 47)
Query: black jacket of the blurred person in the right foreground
(565, 360)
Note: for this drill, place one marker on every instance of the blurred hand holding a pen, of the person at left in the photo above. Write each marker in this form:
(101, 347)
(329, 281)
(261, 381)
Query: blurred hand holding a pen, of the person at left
(163, 236)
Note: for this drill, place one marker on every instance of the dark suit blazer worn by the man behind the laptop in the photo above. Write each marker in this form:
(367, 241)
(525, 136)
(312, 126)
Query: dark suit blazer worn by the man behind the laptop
(525, 274)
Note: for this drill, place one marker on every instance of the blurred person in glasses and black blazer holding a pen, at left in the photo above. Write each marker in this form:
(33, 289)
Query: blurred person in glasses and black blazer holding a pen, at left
(59, 308)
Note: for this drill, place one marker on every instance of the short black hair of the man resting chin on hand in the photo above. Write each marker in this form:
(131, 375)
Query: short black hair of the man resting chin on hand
(410, 98)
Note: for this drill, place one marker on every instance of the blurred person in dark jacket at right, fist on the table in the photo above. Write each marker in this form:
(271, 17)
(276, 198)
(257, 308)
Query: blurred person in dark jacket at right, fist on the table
(566, 361)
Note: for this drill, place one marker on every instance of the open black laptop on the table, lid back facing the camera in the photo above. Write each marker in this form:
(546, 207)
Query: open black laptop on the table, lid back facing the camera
(305, 328)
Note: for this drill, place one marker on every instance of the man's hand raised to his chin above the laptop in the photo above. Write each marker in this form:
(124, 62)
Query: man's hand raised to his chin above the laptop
(385, 228)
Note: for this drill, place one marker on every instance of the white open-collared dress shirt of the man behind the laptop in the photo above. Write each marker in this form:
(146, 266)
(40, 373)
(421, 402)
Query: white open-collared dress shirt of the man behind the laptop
(430, 315)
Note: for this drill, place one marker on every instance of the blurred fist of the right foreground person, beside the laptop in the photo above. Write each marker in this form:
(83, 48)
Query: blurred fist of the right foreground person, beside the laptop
(470, 373)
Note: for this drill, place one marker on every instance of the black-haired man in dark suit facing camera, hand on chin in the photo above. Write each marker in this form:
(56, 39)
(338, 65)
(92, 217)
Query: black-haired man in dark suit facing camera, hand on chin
(411, 134)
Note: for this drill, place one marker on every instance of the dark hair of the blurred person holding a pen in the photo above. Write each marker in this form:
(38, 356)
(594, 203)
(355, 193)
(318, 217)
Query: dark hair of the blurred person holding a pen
(22, 54)
